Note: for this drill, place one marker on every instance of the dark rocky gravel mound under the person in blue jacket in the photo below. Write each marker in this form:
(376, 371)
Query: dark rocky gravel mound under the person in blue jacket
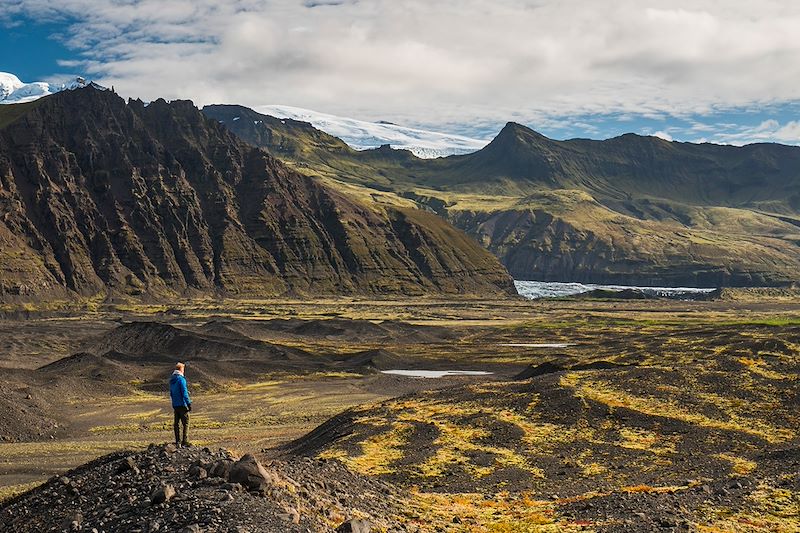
(157, 489)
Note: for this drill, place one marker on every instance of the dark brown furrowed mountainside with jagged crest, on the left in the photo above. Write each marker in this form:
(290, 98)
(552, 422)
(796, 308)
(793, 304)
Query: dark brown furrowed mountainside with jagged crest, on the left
(97, 194)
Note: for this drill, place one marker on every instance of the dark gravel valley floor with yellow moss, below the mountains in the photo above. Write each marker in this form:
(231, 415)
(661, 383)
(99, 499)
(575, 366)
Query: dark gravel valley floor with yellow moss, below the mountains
(597, 415)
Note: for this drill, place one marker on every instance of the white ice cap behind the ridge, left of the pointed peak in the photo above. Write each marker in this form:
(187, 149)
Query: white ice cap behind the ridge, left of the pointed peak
(363, 135)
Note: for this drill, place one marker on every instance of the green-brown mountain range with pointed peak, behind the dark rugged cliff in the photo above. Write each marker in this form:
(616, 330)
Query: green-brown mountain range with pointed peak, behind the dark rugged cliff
(628, 210)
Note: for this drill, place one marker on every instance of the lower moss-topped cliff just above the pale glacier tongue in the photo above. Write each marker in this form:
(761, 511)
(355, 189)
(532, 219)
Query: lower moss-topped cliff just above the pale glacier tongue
(538, 245)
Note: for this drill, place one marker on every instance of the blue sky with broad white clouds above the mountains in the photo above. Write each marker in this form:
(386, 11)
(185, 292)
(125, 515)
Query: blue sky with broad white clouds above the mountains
(725, 71)
